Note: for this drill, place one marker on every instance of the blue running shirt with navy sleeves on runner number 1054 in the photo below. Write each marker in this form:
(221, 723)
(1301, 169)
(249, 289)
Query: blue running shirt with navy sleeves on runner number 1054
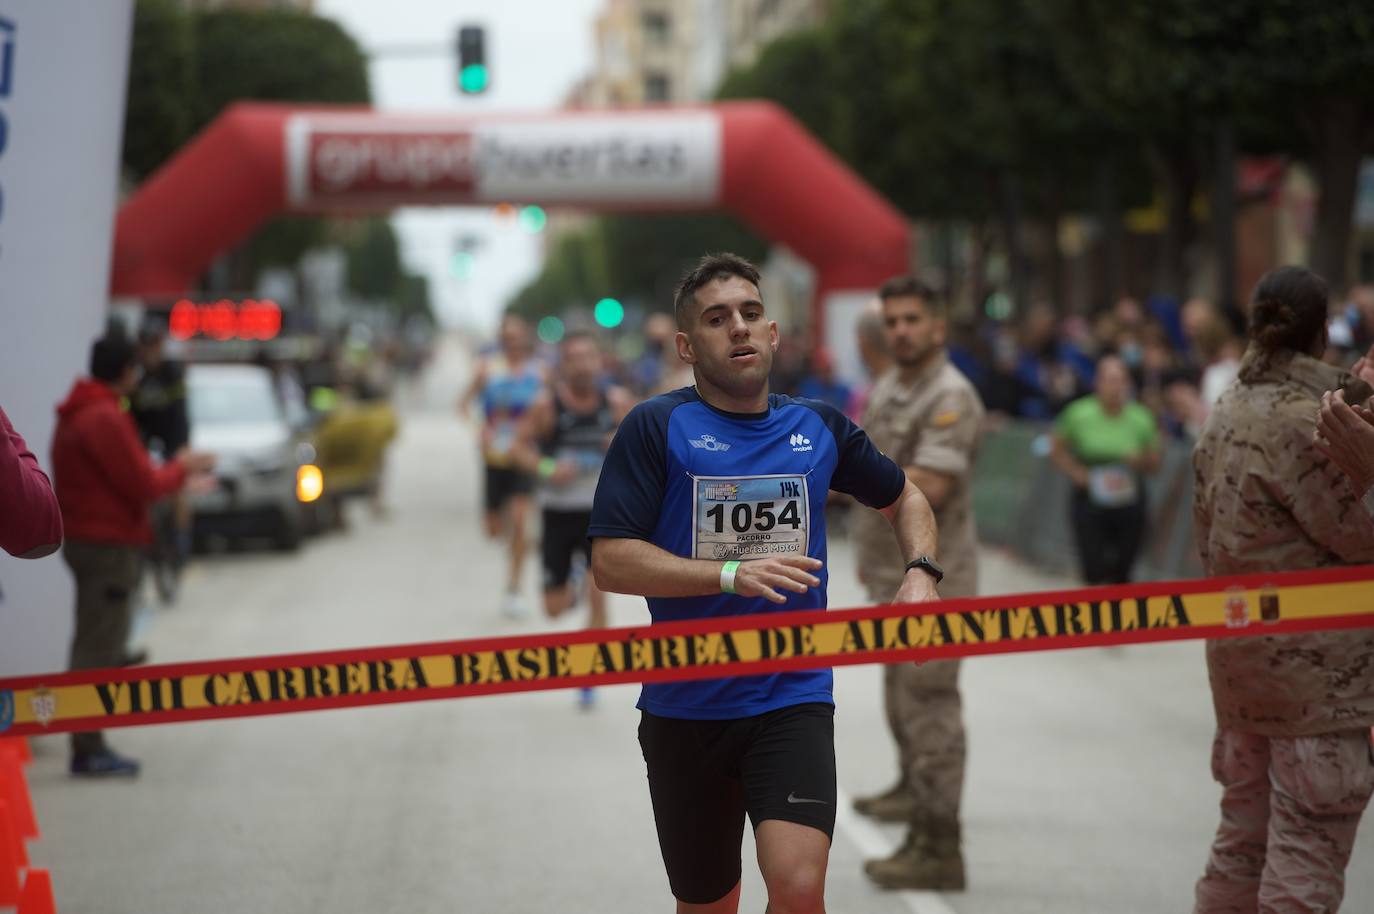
(708, 484)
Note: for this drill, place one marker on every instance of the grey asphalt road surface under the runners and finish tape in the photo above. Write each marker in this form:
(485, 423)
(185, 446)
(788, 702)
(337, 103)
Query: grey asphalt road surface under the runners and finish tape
(1088, 792)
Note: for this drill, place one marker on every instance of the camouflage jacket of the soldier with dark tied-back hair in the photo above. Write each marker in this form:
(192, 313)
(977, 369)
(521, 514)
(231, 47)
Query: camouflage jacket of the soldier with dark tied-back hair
(1268, 501)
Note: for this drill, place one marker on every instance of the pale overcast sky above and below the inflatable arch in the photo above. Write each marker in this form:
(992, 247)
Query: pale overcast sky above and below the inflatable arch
(537, 52)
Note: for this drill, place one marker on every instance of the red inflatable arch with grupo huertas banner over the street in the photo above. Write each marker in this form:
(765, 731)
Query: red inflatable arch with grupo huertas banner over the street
(750, 159)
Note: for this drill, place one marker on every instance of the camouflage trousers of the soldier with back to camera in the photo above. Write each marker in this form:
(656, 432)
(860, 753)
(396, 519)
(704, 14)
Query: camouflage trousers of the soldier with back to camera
(1291, 807)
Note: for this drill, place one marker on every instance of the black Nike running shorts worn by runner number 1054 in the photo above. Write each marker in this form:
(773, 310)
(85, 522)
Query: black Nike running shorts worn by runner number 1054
(704, 776)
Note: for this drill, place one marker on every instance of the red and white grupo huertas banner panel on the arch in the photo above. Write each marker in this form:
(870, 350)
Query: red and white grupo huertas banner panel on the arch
(653, 159)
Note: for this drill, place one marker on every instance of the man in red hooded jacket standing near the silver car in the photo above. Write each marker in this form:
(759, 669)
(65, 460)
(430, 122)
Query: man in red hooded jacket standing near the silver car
(105, 484)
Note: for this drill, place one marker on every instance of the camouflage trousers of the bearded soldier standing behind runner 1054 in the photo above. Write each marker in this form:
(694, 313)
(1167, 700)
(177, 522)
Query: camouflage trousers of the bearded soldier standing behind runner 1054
(927, 720)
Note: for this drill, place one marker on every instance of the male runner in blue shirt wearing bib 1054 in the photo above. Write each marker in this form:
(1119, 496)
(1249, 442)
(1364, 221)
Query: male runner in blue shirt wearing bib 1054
(712, 504)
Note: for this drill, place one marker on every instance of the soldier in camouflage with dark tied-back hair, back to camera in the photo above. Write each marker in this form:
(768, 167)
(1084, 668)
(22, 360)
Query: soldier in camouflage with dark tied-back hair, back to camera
(1292, 750)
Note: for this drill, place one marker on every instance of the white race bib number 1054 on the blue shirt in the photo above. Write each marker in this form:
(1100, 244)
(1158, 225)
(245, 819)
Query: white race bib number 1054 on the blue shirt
(750, 517)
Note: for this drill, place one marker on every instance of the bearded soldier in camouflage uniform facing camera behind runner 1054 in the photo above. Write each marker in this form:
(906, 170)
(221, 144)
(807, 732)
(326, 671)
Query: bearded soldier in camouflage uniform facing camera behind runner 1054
(927, 417)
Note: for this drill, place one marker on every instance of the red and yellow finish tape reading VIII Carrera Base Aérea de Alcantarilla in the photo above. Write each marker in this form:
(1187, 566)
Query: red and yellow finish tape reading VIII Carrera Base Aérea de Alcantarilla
(700, 649)
